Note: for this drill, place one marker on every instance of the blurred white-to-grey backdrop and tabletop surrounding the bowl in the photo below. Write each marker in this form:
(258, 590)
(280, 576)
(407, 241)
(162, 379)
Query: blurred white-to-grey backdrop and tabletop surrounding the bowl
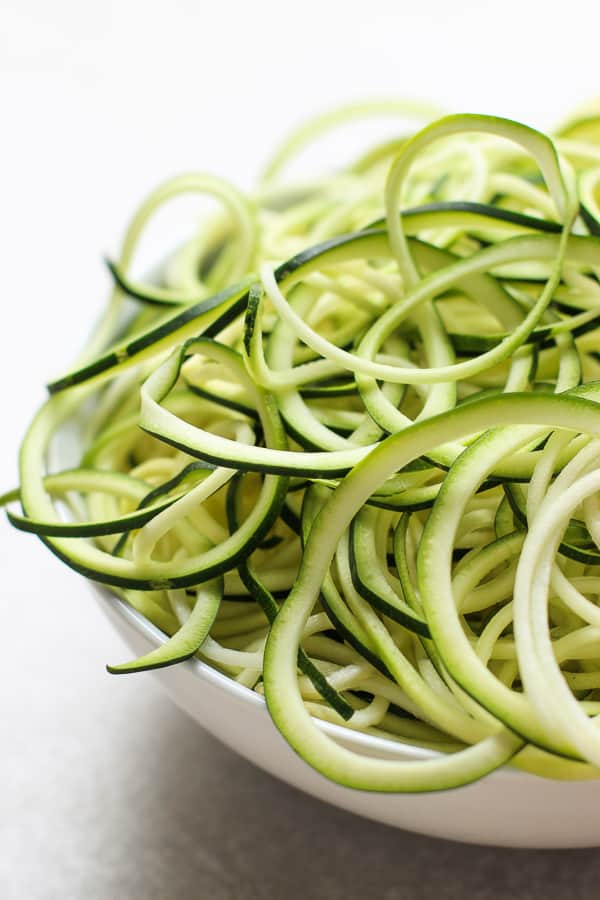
(102, 783)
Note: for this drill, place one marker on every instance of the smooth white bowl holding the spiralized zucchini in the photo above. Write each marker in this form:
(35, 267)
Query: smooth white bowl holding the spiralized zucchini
(508, 808)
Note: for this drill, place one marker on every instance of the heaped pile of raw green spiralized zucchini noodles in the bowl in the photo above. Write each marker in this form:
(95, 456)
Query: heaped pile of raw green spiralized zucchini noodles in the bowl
(346, 449)
